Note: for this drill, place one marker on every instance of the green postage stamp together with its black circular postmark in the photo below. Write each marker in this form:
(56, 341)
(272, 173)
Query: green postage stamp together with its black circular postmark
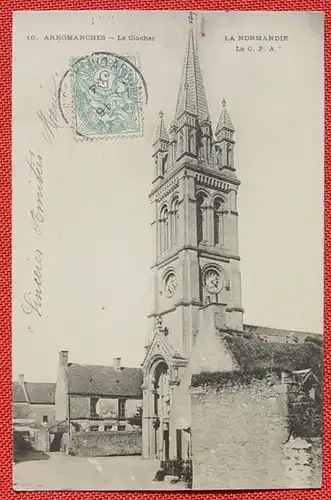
(102, 95)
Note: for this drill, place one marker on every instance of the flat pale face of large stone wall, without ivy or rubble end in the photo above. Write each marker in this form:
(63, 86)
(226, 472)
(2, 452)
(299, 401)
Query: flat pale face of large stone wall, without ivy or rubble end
(238, 433)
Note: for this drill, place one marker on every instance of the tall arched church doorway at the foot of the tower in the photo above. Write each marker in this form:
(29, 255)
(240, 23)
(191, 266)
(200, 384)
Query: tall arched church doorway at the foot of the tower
(161, 409)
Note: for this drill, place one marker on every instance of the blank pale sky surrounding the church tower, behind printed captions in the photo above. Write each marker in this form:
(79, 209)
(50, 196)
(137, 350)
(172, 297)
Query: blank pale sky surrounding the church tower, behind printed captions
(96, 238)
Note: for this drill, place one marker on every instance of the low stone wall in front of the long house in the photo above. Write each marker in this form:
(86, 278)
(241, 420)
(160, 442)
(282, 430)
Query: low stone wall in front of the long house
(101, 444)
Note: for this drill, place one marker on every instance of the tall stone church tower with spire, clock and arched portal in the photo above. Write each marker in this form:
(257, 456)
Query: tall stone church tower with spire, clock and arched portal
(195, 230)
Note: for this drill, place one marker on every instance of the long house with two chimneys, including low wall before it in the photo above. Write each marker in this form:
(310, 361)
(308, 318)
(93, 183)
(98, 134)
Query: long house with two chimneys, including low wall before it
(101, 405)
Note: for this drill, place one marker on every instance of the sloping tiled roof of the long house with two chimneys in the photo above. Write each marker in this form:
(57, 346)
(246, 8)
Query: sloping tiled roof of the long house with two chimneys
(104, 380)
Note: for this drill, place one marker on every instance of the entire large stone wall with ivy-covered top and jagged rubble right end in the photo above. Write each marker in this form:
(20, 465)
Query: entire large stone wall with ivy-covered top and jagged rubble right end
(243, 434)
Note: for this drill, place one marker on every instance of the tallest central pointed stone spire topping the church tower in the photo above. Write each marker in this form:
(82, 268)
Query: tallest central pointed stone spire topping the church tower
(191, 96)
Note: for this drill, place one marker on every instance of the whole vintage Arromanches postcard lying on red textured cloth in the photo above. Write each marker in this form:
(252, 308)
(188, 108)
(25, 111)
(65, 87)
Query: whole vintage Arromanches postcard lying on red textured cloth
(167, 250)
